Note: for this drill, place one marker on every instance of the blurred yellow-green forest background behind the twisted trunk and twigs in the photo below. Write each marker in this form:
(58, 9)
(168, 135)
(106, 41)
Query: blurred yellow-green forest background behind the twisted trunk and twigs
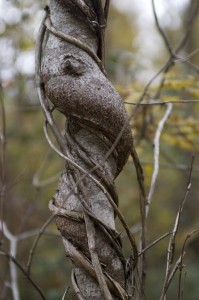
(135, 52)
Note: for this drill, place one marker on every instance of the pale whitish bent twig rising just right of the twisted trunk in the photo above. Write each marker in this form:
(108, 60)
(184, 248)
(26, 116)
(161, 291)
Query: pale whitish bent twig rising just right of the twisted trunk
(156, 155)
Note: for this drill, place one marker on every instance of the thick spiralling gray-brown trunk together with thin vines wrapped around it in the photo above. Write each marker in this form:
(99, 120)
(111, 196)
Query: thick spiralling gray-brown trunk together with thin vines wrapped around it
(96, 144)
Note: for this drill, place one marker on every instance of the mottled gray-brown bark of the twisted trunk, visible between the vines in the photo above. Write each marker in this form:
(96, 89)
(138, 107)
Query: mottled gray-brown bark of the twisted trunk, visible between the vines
(77, 87)
